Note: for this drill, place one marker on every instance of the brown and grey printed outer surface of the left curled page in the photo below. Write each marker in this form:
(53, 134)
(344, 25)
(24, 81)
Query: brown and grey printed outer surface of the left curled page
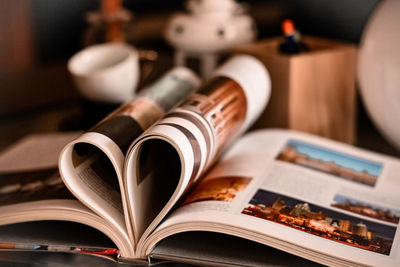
(132, 118)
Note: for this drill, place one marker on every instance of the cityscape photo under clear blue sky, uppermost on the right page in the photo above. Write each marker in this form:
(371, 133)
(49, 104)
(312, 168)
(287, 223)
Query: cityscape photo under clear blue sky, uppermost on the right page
(328, 161)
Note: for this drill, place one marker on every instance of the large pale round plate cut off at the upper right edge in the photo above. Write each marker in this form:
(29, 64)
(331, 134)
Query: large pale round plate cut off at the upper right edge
(379, 69)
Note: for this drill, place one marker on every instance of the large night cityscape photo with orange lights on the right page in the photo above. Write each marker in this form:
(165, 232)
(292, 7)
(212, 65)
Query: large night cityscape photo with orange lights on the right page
(320, 221)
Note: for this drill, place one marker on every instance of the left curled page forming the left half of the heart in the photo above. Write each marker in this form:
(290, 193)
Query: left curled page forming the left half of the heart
(91, 166)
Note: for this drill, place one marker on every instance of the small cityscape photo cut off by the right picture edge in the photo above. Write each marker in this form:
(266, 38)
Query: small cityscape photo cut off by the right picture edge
(366, 209)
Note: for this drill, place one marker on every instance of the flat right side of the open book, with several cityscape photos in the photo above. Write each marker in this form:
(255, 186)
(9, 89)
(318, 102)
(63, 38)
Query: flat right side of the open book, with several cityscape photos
(316, 198)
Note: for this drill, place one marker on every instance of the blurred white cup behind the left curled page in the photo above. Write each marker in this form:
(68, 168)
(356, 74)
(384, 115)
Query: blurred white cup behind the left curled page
(106, 72)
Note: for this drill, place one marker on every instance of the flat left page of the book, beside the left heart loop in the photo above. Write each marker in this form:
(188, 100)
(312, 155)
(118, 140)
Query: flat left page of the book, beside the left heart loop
(24, 178)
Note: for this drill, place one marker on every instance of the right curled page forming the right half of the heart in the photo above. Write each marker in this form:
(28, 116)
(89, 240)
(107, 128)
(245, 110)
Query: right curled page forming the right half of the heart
(179, 148)
